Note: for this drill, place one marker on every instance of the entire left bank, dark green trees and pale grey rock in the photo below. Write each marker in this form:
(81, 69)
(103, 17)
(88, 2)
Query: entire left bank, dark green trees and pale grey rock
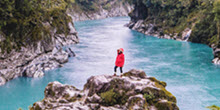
(32, 34)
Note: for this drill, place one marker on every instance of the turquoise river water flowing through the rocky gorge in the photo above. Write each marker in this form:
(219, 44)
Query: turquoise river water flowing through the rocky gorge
(186, 67)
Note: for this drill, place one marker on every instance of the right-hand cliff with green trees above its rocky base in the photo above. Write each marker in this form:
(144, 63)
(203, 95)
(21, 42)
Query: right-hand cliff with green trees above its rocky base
(187, 20)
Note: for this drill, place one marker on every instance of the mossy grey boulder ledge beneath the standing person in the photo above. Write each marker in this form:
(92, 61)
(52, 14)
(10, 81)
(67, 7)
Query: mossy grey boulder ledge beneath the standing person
(133, 91)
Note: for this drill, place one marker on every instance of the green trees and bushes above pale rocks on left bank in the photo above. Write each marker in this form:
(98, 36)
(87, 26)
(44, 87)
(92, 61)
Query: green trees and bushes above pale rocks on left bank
(24, 22)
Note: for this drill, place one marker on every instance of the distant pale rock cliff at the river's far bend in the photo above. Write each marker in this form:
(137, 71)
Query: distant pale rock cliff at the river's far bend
(99, 9)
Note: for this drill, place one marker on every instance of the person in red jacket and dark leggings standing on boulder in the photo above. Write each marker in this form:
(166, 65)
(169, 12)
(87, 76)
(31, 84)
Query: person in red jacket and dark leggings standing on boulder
(119, 61)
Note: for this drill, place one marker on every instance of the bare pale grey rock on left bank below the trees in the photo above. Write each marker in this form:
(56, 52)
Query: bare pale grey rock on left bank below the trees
(33, 60)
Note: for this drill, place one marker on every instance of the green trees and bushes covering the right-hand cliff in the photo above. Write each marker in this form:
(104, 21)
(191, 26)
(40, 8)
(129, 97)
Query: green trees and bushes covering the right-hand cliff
(174, 16)
